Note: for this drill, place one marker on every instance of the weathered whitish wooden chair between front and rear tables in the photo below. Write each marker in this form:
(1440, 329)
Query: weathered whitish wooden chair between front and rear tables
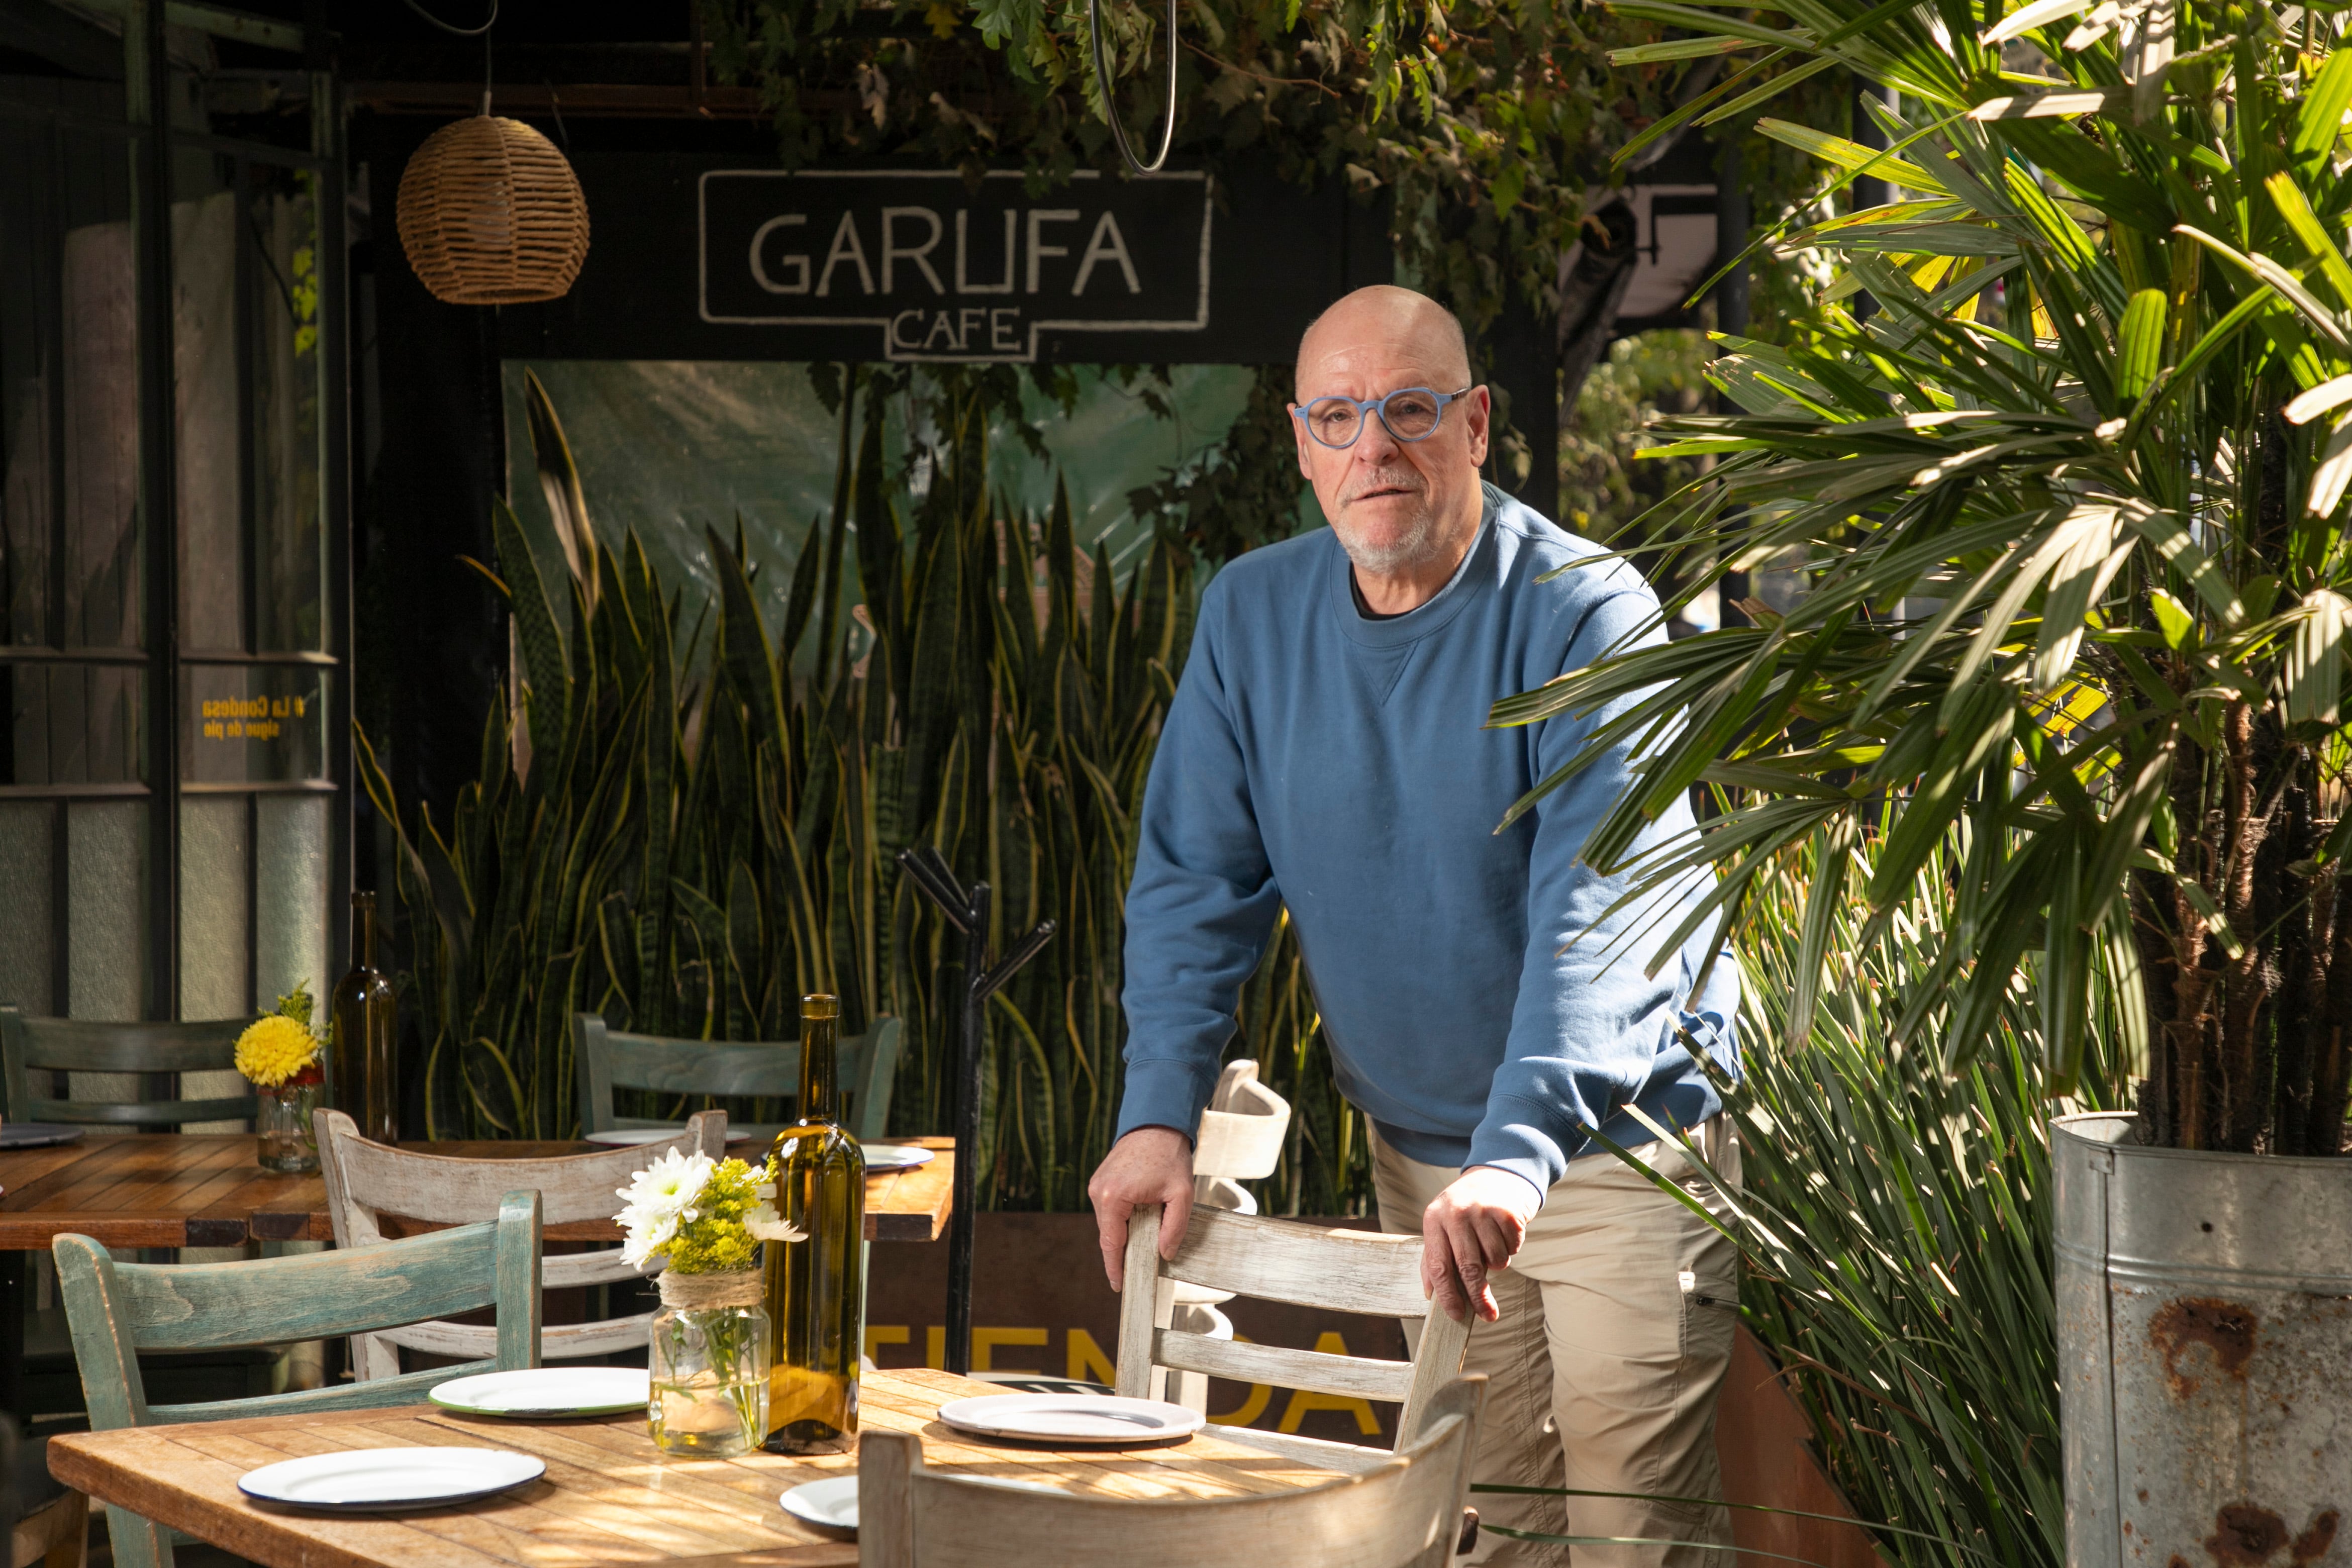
(368, 1181)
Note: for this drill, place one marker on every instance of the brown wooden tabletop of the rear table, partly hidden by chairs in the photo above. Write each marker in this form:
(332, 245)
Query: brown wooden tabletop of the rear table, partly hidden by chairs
(211, 1191)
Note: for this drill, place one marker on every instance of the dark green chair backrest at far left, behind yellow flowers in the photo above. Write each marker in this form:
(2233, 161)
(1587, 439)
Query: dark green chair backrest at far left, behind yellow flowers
(79, 1045)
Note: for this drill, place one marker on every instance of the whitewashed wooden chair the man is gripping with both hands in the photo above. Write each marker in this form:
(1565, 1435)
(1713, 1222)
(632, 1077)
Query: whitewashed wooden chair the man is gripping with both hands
(1342, 1271)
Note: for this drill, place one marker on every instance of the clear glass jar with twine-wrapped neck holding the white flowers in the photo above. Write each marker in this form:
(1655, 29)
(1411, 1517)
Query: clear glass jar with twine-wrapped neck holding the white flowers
(709, 1367)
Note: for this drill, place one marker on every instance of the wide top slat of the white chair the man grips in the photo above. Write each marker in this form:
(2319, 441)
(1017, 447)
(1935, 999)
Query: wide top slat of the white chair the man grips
(1342, 1271)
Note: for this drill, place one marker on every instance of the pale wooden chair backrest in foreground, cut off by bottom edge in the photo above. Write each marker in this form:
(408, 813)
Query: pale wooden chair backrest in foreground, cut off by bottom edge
(1401, 1515)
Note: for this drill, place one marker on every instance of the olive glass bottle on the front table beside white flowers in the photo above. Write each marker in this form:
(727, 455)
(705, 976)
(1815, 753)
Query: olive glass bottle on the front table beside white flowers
(817, 1287)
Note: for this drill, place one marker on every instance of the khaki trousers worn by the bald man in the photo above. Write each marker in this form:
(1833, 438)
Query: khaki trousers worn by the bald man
(1608, 1360)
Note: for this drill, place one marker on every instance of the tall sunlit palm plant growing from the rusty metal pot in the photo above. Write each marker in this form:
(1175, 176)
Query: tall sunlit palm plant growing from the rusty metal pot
(2064, 462)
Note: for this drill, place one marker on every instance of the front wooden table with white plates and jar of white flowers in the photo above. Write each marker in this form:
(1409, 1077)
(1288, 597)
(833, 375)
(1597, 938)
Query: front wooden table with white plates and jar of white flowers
(608, 1494)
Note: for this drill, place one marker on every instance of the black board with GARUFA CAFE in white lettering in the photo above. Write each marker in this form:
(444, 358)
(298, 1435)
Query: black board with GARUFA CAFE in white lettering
(700, 257)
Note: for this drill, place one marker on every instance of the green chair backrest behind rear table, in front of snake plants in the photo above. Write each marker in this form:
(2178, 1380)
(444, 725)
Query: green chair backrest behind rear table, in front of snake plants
(608, 1059)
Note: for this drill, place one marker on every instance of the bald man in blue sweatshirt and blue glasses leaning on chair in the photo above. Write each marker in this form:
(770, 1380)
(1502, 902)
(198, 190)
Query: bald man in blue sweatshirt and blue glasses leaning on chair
(1483, 996)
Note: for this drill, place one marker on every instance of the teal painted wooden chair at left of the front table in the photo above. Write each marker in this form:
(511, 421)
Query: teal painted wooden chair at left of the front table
(123, 1308)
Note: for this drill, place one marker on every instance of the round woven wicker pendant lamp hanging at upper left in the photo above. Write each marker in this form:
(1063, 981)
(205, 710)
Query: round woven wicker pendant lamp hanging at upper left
(490, 215)
